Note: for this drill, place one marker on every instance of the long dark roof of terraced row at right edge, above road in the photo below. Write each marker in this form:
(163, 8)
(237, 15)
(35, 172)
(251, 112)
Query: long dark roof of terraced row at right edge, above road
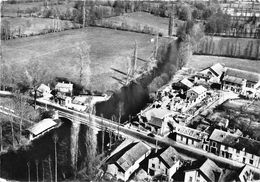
(235, 141)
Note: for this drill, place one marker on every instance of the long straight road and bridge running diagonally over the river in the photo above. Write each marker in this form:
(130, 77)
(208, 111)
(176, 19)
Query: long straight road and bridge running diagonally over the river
(100, 123)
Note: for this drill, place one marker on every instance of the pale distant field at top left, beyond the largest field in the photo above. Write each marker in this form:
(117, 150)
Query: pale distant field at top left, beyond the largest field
(30, 26)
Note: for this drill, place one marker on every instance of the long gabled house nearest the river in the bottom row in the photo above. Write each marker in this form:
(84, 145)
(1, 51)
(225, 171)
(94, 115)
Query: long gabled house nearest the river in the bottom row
(127, 158)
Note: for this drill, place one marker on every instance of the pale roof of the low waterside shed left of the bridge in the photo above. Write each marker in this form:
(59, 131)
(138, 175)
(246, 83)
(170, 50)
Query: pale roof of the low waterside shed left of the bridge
(42, 126)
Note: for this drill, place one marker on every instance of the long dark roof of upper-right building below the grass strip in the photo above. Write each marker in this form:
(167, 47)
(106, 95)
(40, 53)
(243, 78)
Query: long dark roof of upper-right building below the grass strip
(249, 76)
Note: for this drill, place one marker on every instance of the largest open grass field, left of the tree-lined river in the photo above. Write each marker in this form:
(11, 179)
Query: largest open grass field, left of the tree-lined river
(109, 48)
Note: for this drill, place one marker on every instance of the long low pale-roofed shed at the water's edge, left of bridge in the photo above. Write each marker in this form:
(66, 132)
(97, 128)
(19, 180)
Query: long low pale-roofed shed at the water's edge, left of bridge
(41, 127)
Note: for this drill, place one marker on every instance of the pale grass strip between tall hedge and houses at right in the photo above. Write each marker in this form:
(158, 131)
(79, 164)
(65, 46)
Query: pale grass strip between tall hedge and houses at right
(199, 62)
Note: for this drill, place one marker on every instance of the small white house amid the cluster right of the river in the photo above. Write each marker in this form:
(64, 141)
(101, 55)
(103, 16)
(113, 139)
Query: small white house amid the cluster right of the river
(196, 94)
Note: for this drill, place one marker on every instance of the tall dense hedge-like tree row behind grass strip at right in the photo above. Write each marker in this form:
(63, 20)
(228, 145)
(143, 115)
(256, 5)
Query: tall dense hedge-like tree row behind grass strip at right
(230, 47)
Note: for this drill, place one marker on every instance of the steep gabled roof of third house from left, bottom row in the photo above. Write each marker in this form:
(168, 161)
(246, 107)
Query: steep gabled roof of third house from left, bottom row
(208, 168)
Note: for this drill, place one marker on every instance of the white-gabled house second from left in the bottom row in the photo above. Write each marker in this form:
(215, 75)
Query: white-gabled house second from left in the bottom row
(165, 161)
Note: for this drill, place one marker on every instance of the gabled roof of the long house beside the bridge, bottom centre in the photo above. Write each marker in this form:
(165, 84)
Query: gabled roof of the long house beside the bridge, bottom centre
(127, 156)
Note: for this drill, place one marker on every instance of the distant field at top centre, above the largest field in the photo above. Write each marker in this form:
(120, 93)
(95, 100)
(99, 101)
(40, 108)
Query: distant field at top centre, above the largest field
(132, 19)
